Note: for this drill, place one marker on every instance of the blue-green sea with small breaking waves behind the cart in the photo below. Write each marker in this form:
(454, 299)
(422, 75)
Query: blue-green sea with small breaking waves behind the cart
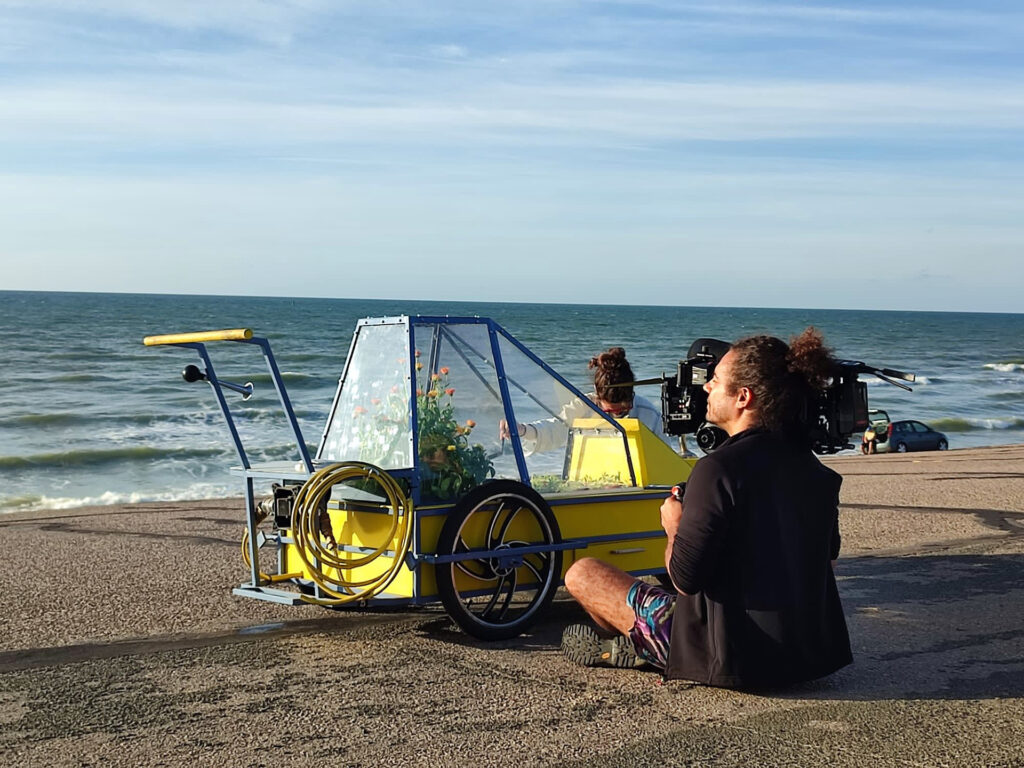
(90, 416)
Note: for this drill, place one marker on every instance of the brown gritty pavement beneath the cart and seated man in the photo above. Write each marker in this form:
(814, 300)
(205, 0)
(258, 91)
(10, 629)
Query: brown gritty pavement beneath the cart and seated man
(121, 645)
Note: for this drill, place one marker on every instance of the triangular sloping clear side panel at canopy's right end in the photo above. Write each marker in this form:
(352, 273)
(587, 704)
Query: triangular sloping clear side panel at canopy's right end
(551, 412)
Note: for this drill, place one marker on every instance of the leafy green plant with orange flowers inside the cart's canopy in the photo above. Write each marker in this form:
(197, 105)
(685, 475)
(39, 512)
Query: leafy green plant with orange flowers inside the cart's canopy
(450, 466)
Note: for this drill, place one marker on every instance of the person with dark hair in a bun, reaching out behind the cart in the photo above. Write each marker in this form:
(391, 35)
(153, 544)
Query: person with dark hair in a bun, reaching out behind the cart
(611, 369)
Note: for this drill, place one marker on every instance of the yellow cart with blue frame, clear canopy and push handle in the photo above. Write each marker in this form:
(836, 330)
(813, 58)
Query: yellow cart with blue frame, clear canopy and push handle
(413, 496)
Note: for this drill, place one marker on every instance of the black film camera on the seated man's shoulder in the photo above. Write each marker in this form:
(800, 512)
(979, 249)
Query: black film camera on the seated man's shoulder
(839, 412)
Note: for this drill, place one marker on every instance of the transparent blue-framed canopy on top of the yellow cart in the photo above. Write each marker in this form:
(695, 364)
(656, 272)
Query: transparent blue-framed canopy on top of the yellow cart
(432, 398)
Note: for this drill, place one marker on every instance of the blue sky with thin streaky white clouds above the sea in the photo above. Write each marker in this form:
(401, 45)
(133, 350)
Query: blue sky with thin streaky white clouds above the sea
(863, 155)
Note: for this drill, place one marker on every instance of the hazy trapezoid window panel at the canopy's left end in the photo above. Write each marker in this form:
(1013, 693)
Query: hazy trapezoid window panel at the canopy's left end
(372, 420)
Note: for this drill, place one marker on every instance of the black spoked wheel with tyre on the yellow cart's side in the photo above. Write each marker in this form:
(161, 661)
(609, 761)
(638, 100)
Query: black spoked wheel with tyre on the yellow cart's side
(498, 598)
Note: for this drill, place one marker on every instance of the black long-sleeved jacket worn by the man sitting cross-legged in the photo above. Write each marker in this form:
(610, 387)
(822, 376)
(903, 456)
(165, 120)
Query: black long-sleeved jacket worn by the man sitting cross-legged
(753, 556)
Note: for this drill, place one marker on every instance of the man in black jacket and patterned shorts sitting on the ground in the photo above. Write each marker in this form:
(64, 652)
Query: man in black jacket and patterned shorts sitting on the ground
(751, 546)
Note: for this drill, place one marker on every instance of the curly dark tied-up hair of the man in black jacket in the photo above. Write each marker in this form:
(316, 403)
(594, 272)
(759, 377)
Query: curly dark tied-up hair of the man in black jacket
(786, 379)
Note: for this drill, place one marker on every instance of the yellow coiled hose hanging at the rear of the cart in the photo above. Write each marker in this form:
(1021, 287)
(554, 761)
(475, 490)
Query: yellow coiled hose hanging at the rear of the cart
(326, 564)
